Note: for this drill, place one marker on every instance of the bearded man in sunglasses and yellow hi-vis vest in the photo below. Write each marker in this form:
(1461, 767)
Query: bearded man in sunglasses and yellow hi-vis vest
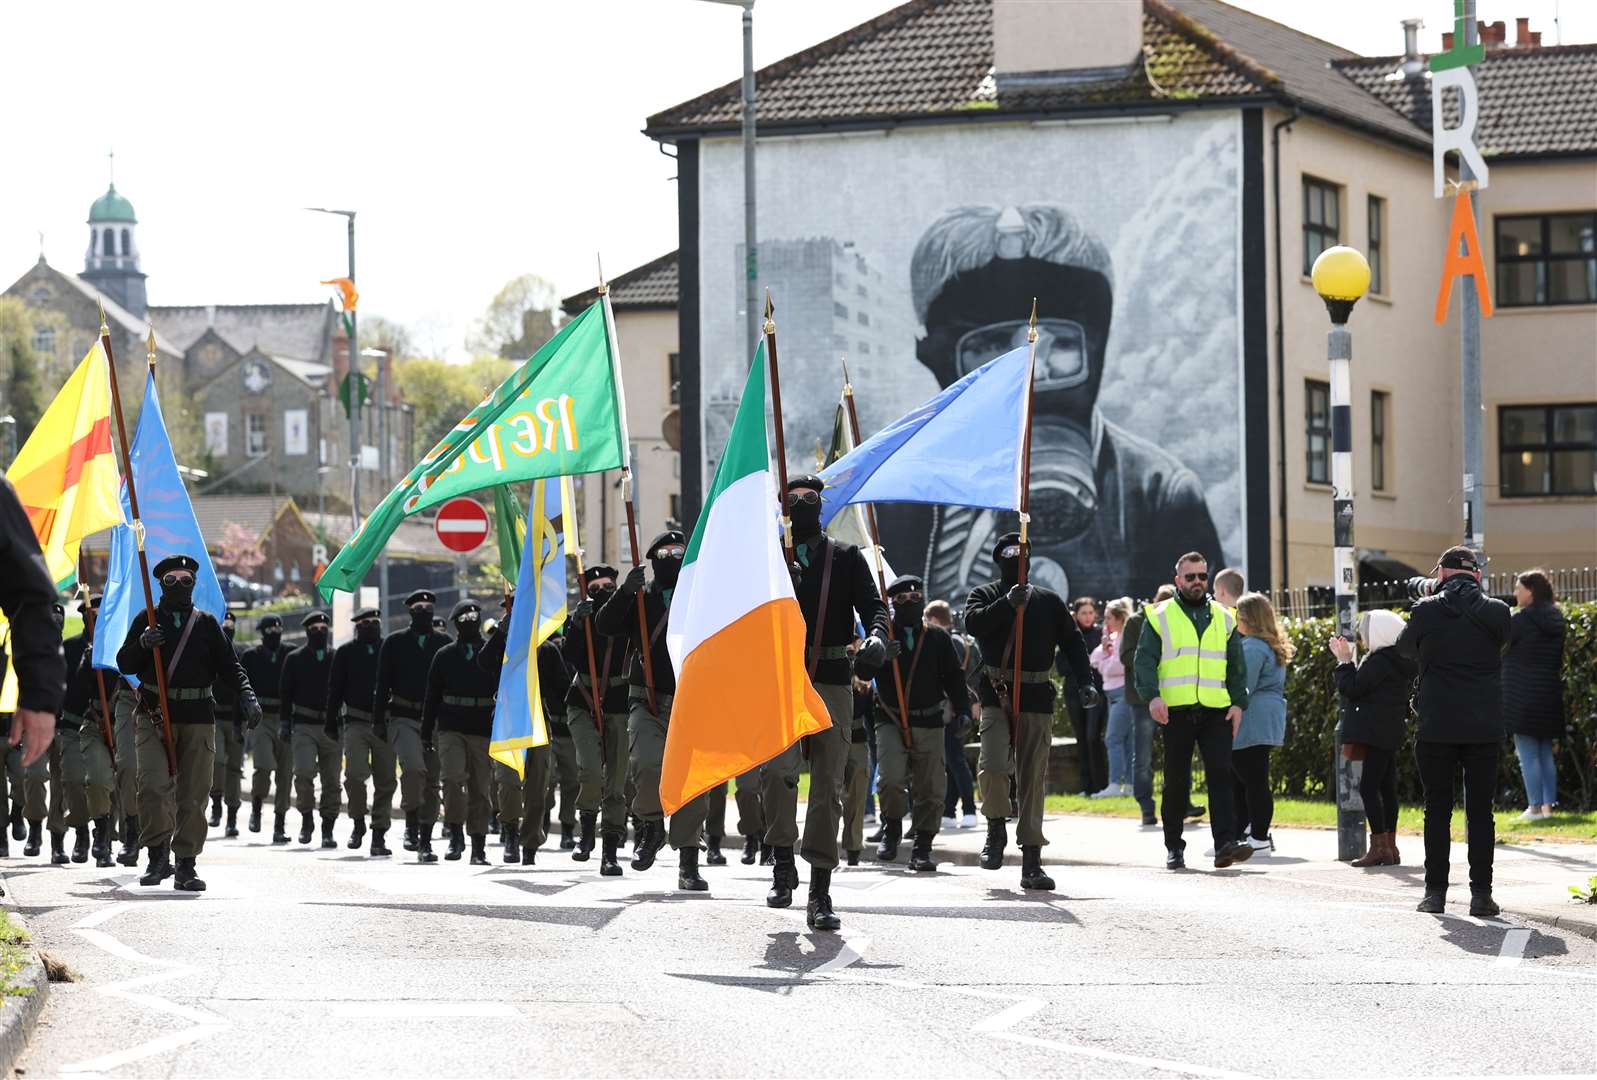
(1189, 667)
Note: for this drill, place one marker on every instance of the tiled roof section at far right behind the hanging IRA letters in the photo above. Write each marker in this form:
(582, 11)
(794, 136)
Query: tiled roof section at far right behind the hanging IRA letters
(1534, 101)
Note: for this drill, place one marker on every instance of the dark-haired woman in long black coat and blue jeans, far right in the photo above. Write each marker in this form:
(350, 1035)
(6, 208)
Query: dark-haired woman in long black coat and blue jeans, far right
(1534, 689)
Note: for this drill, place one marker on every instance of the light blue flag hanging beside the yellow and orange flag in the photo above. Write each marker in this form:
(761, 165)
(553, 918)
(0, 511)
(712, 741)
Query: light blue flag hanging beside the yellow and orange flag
(170, 528)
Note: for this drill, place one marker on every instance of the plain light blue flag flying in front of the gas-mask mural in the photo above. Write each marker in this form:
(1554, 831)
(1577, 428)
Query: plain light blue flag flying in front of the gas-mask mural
(959, 450)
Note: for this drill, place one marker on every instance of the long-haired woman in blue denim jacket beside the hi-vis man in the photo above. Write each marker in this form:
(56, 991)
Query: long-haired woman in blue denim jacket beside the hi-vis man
(1266, 654)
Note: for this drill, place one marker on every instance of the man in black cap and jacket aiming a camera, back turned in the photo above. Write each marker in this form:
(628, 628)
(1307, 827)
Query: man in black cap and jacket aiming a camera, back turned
(1457, 637)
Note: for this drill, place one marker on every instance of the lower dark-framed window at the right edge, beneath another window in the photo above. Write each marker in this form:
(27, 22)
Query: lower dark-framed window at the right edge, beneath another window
(1548, 450)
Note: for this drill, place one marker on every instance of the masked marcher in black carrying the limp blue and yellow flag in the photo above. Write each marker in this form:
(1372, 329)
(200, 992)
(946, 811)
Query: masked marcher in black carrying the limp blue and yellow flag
(601, 756)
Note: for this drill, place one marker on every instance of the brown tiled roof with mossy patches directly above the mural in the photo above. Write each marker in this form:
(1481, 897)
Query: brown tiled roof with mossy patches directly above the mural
(935, 58)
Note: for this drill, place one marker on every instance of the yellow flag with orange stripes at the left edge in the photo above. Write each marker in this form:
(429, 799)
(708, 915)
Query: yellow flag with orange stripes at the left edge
(66, 474)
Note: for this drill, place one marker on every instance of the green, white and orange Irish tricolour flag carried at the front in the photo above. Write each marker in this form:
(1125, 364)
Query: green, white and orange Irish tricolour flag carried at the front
(737, 635)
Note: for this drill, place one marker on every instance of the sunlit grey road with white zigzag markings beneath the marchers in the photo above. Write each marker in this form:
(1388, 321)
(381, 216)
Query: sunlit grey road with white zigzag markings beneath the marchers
(1290, 966)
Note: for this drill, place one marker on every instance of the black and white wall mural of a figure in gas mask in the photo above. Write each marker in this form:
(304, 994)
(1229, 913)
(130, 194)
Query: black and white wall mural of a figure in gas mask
(916, 256)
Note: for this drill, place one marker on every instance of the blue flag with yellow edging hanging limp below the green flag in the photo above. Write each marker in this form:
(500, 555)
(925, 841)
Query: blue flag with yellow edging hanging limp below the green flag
(539, 613)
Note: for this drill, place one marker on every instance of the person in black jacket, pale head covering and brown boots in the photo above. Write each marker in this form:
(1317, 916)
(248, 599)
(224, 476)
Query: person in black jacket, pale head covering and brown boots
(1374, 713)
